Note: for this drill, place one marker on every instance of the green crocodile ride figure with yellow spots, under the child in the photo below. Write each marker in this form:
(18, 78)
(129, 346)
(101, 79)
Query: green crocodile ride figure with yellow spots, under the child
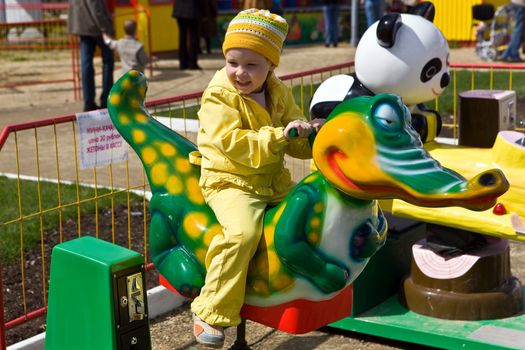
(321, 236)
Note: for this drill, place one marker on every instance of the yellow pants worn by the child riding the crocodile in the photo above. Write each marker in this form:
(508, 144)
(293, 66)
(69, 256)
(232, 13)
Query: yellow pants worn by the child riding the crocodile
(240, 214)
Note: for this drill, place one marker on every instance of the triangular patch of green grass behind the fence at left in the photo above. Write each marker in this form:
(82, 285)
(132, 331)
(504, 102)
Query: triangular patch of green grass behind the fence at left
(9, 210)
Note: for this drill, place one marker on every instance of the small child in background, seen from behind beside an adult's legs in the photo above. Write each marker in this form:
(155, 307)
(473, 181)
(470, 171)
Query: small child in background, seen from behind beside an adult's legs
(131, 51)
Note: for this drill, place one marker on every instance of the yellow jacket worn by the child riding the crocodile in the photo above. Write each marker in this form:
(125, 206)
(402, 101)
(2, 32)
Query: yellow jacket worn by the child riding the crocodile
(242, 143)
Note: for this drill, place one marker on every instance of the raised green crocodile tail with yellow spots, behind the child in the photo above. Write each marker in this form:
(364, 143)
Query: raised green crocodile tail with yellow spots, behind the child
(163, 152)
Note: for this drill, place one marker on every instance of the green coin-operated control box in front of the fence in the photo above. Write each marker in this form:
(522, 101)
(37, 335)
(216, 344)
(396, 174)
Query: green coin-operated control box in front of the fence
(97, 297)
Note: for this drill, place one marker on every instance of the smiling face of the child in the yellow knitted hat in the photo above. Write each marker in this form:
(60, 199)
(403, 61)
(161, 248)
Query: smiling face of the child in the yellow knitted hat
(247, 70)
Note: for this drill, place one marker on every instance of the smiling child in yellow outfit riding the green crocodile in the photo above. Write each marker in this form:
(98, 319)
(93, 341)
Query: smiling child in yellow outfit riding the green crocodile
(245, 120)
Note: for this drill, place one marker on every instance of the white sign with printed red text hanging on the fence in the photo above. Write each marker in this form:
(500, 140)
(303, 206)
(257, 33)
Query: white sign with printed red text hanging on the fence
(100, 142)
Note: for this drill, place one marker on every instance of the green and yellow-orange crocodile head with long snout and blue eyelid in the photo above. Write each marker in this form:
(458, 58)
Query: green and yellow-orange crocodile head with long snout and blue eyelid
(368, 149)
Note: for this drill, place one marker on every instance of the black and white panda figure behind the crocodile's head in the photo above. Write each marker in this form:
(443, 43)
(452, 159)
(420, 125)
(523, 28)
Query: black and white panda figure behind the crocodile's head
(402, 54)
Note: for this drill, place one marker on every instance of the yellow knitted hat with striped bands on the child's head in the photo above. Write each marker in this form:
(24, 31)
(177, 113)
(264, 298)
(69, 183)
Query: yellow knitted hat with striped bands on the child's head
(257, 30)
